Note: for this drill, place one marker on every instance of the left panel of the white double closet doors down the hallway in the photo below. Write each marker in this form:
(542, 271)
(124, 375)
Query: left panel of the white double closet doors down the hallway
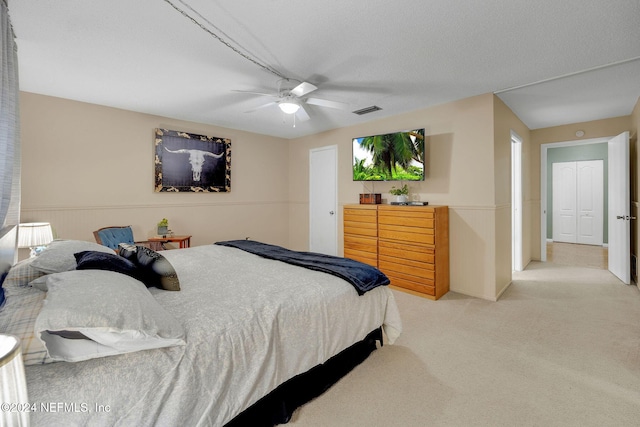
(564, 202)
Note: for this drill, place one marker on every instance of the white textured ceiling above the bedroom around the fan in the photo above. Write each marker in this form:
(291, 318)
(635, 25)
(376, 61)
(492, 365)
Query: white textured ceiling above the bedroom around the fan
(146, 56)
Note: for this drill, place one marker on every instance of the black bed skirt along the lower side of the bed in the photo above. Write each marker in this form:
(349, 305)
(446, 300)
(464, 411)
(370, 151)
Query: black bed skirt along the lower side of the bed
(278, 406)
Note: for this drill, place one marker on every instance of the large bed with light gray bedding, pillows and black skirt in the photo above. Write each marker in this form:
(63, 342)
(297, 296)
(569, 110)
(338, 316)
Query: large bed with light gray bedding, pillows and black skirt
(244, 341)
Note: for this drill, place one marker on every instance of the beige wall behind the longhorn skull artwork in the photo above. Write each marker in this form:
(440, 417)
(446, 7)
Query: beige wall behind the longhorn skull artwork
(86, 166)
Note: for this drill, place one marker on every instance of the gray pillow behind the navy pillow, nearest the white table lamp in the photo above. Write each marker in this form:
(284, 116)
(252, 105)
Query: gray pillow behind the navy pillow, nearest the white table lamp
(58, 256)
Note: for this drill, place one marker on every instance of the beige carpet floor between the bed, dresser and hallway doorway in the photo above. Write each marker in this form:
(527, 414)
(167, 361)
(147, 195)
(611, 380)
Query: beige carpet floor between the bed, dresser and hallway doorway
(560, 348)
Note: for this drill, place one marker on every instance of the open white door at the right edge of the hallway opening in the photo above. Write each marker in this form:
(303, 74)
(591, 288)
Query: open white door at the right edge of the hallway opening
(619, 208)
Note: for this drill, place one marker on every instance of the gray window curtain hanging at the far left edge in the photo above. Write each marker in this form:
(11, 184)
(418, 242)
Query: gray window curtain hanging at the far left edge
(9, 123)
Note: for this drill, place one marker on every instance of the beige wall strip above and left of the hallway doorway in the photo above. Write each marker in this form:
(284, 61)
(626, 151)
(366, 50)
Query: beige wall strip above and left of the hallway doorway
(593, 129)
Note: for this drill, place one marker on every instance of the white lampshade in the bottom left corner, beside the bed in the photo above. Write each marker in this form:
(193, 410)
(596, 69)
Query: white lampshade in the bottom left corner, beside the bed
(13, 387)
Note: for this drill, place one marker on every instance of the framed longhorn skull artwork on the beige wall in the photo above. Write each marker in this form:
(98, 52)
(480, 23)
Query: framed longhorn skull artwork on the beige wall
(186, 162)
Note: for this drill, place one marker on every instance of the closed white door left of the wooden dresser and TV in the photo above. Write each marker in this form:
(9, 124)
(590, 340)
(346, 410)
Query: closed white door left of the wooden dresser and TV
(323, 200)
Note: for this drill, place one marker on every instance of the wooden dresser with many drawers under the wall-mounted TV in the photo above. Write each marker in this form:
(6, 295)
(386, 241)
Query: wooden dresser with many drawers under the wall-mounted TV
(410, 244)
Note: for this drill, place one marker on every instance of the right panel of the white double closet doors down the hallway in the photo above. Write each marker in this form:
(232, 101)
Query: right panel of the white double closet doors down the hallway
(590, 202)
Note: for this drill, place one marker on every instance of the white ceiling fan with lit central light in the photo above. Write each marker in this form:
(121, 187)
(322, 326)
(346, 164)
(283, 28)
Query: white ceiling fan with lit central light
(292, 100)
